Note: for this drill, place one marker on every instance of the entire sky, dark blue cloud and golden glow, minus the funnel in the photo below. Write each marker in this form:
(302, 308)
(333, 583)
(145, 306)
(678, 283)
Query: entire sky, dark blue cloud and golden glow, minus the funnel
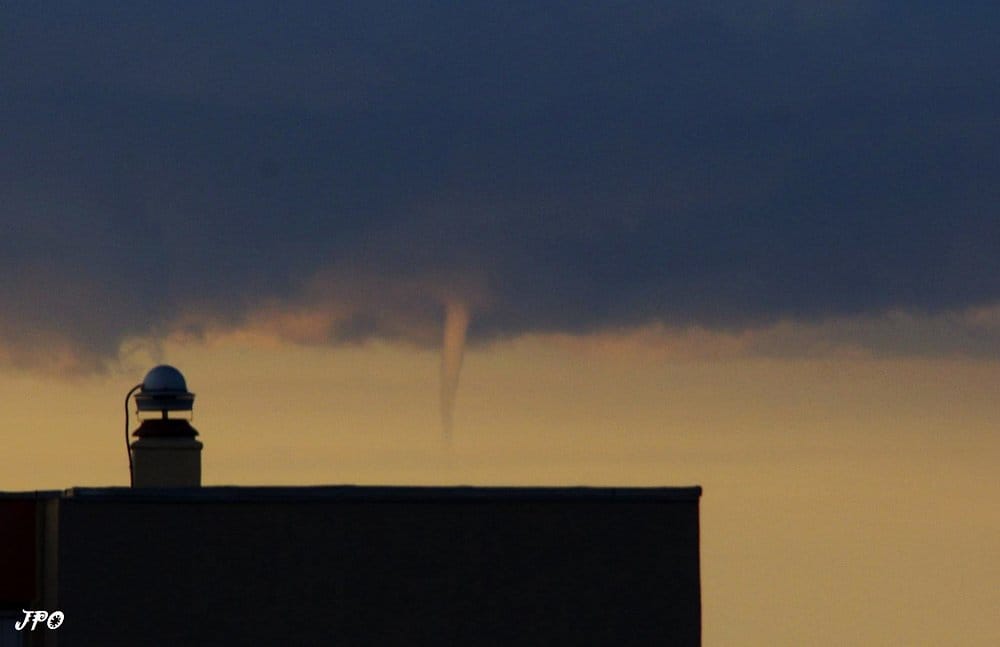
(753, 247)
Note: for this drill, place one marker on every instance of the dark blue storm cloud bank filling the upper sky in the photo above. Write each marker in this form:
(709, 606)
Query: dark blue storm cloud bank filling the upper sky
(559, 166)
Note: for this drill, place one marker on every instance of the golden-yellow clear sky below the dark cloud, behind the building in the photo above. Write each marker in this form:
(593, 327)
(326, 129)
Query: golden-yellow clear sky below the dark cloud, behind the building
(846, 500)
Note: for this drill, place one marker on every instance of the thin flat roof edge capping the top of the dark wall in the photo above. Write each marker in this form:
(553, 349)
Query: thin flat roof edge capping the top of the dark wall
(379, 493)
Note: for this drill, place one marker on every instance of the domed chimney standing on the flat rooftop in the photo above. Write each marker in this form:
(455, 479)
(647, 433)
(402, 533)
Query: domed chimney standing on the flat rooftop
(166, 453)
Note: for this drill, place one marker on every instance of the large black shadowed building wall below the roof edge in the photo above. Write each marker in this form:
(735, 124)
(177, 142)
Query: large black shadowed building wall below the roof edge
(380, 566)
